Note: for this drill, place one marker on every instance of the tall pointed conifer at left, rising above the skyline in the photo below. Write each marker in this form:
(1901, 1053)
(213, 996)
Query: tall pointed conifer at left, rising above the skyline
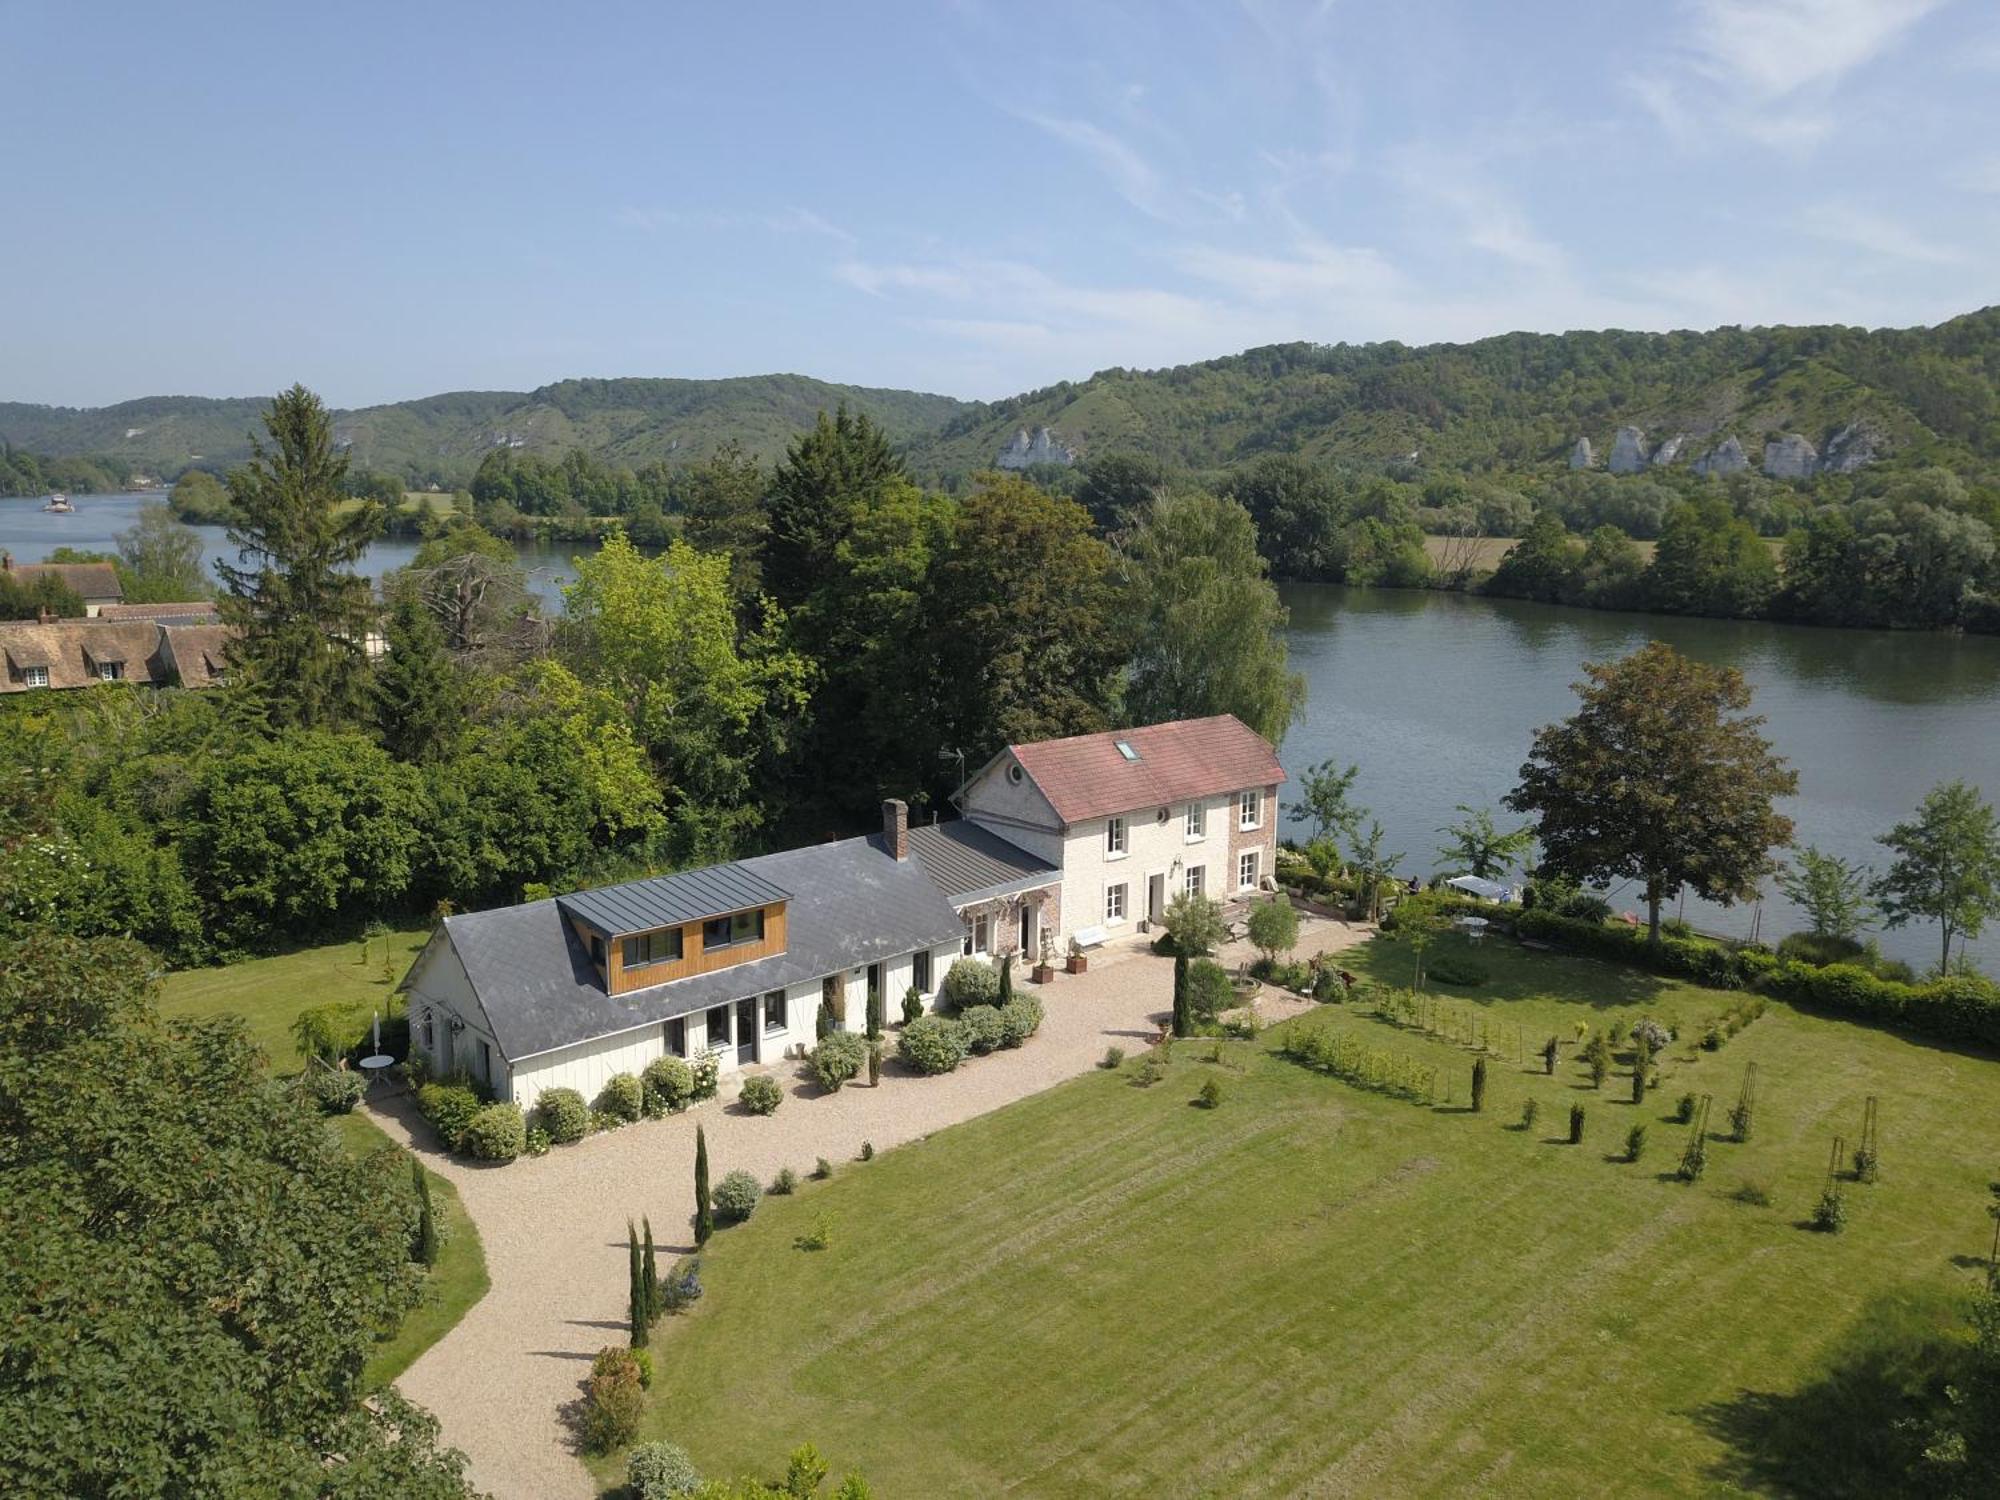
(295, 599)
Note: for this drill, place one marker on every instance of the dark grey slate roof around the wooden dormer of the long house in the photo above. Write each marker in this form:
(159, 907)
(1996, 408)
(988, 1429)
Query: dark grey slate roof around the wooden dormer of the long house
(853, 905)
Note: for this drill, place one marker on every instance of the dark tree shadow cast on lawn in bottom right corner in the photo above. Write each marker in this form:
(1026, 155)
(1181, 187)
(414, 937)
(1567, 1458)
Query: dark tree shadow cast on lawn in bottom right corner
(1839, 1433)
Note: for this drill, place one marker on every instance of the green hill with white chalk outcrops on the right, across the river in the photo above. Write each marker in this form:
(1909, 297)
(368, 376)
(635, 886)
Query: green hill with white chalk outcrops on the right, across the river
(1521, 401)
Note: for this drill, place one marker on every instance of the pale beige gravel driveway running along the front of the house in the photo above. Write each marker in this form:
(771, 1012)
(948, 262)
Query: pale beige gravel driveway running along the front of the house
(555, 1229)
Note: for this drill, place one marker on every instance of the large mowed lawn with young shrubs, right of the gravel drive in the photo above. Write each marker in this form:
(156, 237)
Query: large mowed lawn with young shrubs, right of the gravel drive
(1325, 1291)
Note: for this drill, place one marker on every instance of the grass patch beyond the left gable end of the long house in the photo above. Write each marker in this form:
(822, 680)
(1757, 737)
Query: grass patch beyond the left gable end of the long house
(269, 993)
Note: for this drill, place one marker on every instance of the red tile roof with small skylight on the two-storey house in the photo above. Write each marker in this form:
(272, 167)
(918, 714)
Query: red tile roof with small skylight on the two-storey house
(1087, 777)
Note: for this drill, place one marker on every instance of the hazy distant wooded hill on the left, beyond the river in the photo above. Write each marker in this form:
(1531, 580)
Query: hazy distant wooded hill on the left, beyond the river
(443, 439)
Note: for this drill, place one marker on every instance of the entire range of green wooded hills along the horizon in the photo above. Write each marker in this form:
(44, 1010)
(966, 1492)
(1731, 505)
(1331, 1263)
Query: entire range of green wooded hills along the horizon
(1509, 403)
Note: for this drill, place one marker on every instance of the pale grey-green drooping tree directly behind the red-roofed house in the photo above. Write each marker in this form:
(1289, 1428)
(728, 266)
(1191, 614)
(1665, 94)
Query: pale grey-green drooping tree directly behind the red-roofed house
(1205, 621)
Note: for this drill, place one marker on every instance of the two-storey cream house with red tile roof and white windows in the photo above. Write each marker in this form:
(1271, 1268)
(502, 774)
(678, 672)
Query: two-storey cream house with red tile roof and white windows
(1135, 817)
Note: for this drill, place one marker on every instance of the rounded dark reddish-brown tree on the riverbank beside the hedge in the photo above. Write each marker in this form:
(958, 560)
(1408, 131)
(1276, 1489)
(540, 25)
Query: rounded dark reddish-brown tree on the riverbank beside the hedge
(1661, 777)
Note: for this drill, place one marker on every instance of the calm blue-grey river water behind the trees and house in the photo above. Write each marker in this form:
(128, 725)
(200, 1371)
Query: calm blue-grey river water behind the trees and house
(1437, 697)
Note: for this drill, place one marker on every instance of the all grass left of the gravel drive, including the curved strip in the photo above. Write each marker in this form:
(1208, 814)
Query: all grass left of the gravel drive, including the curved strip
(269, 993)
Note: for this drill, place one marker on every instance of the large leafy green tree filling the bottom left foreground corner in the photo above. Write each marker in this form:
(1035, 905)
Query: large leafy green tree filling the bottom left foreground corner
(195, 1267)
